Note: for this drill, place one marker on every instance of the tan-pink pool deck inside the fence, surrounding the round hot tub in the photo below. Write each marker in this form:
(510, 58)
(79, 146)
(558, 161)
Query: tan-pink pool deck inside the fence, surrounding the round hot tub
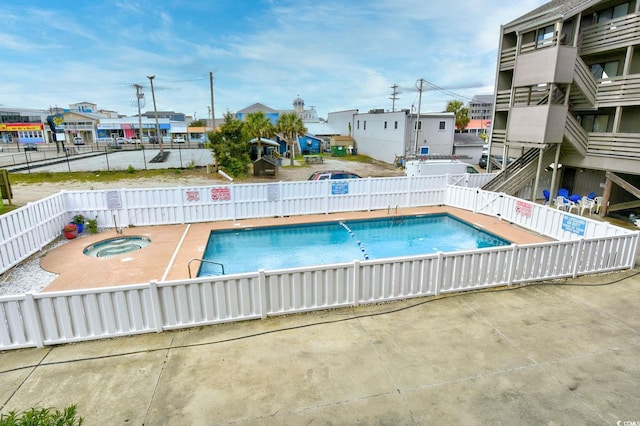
(173, 246)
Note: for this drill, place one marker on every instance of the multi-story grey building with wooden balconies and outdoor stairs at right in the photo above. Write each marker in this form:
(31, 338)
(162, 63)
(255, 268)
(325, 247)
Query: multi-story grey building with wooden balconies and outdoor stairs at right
(567, 100)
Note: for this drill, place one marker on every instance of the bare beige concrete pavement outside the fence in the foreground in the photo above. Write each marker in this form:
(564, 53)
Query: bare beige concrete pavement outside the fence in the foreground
(559, 353)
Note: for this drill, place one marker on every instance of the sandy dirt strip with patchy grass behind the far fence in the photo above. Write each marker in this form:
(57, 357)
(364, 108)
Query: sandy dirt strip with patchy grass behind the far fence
(26, 193)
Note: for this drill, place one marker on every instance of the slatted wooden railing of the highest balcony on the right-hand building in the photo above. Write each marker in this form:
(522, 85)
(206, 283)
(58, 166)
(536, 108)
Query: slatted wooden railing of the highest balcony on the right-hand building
(613, 34)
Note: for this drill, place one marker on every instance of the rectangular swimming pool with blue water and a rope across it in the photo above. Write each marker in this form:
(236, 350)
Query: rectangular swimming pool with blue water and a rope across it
(280, 247)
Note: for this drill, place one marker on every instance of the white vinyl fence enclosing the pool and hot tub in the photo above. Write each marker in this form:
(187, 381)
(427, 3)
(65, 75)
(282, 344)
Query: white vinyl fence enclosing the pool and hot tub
(584, 246)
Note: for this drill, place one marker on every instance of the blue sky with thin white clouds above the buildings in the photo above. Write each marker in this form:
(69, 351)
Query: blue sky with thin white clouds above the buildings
(335, 55)
